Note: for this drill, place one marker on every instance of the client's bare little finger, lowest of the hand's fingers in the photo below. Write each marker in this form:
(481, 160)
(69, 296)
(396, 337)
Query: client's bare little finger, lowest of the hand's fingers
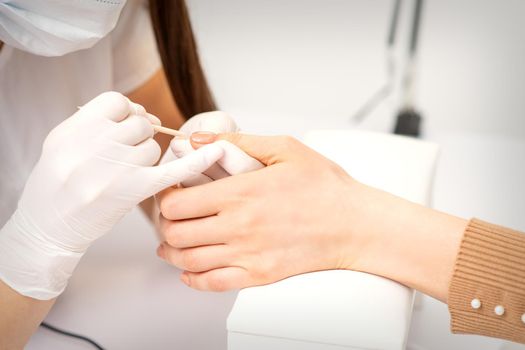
(218, 280)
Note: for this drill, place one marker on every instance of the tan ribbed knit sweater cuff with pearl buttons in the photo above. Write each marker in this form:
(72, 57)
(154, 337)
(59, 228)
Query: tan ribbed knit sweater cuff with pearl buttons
(487, 290)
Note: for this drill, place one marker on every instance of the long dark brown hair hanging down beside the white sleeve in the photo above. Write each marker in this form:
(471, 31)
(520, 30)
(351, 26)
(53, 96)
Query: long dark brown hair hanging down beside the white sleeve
(178, 52)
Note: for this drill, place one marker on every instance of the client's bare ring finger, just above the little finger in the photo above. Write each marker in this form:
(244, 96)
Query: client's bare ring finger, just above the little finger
(199, 259)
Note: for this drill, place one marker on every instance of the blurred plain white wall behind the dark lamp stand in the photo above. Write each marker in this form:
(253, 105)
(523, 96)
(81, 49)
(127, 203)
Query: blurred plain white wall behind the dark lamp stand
(318, 61)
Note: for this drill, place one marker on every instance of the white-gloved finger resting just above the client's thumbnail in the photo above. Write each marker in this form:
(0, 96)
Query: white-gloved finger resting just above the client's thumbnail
(216, 121)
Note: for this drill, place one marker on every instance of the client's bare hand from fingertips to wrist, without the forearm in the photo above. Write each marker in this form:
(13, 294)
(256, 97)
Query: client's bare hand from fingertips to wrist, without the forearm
(259, 227)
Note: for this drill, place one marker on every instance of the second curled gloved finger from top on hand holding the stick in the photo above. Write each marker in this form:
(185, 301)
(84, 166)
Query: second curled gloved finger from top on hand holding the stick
(132, 130)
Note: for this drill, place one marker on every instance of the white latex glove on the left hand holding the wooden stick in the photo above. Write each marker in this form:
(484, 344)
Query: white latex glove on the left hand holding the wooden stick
(94, 168)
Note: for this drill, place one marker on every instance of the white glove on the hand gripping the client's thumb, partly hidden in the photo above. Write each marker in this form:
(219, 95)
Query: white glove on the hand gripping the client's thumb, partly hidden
(234, 161)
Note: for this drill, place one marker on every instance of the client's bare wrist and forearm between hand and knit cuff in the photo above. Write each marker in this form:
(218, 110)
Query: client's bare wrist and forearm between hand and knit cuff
(403, 241)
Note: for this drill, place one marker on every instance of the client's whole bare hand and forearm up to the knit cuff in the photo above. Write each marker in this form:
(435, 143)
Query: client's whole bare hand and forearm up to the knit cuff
(301, 213)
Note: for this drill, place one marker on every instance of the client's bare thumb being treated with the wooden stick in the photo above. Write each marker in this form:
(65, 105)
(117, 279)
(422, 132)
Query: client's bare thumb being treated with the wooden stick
(266, 149)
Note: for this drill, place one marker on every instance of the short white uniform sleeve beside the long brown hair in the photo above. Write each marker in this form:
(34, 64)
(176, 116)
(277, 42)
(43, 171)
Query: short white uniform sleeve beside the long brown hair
(135, 55)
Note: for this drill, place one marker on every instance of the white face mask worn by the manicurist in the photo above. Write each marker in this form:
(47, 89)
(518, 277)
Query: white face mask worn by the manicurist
(56, 27)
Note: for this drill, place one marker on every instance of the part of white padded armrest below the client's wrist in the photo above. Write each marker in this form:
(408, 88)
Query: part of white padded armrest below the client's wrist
(331, 307)
